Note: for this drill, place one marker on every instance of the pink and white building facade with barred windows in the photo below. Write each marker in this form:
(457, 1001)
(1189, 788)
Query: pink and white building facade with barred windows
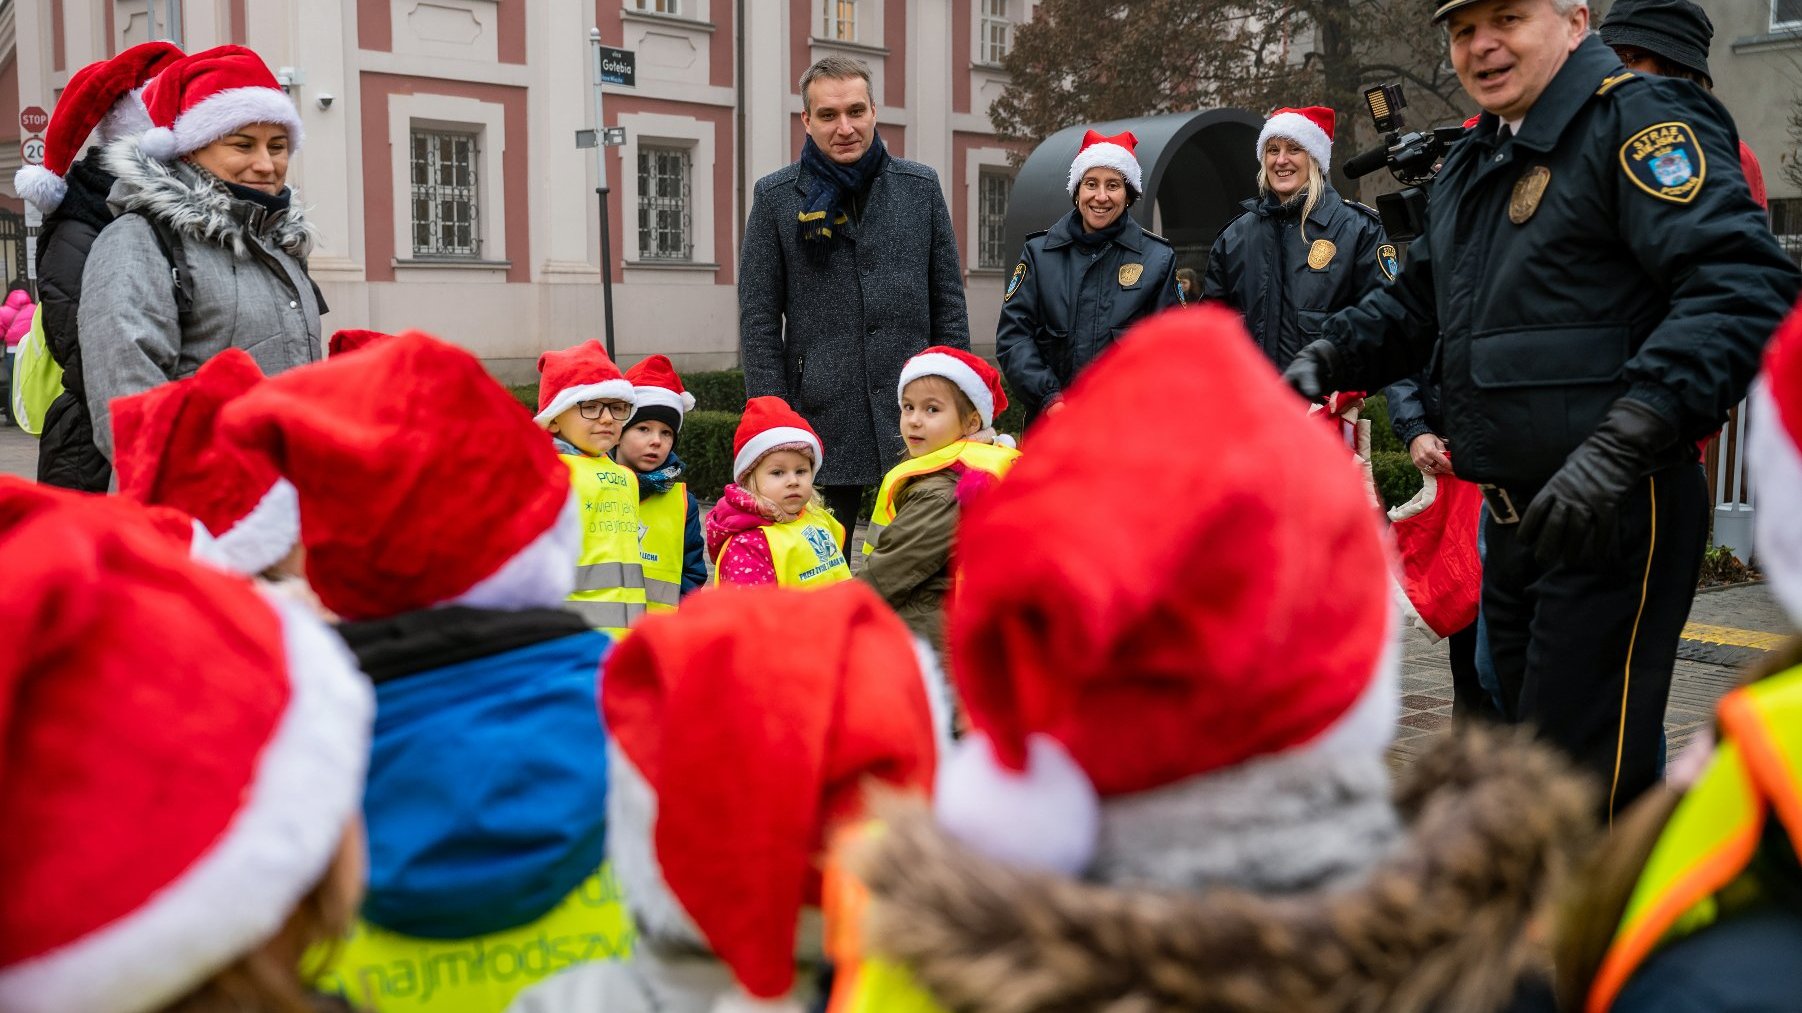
(442, 165)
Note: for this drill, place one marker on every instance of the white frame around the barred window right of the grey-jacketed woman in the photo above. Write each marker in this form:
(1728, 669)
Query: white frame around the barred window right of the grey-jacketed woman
(455, 114)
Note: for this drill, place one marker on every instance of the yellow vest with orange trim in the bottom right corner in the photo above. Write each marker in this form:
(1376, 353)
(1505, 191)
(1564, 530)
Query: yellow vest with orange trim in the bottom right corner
(1715, 832)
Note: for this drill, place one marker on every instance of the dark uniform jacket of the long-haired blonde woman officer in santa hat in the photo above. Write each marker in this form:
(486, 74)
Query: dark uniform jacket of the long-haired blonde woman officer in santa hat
(1289, 278)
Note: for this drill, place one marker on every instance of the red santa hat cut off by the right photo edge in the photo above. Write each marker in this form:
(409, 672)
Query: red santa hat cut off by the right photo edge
(1776, 446)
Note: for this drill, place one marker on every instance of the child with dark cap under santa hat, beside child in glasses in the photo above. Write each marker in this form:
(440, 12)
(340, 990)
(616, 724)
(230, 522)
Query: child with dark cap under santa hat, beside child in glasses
(669, 520)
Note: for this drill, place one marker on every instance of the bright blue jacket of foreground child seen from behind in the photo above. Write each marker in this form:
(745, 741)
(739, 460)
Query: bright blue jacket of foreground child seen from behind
(487, 787)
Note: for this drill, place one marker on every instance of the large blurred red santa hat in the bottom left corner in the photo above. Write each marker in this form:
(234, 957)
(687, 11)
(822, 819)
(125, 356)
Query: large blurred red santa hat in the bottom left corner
(183, 756)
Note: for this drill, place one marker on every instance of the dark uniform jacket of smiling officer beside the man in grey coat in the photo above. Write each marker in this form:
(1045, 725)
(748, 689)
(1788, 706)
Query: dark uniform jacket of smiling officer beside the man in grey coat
(1068, 304)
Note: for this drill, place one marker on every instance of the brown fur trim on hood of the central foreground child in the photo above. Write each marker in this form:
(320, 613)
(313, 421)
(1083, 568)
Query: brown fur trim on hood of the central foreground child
(1453, 918)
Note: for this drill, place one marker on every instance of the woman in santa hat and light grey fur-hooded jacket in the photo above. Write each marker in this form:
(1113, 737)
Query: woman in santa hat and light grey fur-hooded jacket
(205, 194)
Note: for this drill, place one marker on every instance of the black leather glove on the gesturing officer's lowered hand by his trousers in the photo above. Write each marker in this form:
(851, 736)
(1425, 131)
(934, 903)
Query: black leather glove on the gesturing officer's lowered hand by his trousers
(1572, 520)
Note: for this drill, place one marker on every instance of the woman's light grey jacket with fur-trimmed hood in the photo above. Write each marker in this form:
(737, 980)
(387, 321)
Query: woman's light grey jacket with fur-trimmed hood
(246, 278)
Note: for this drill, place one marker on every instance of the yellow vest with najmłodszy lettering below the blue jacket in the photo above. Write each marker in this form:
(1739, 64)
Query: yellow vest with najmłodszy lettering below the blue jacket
(387, 972)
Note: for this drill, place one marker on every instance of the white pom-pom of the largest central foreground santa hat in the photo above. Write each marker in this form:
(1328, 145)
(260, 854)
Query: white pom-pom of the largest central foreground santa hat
(1042, 819)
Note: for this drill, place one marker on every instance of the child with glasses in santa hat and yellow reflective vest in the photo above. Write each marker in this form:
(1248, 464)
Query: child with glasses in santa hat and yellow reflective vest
(583, 403)
